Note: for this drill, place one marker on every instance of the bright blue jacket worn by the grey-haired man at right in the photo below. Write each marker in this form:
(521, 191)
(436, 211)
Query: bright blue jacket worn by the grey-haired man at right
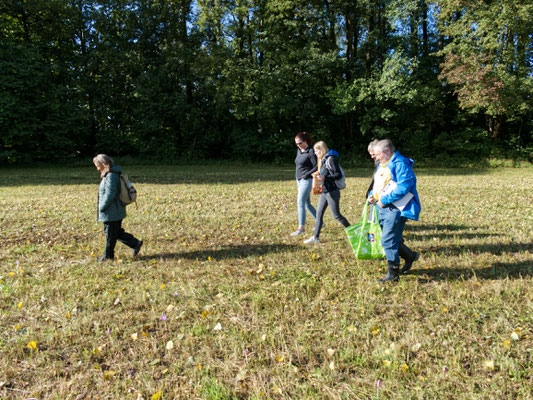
(402, 173)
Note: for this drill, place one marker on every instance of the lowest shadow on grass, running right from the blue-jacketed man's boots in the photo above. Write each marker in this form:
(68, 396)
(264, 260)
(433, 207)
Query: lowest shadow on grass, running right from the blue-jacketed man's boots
(496, 271)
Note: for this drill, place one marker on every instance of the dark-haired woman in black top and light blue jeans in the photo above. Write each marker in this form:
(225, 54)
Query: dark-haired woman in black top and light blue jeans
(306, 164)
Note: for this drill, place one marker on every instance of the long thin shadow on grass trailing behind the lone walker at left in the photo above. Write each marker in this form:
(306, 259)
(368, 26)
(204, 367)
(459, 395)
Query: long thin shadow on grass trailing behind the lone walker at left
(226, 252)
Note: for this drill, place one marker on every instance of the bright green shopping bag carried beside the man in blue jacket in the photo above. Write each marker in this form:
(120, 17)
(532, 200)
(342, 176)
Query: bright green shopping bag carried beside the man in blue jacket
(365, 236)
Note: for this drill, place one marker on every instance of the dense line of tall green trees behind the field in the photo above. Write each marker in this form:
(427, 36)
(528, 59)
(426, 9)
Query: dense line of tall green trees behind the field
(239, 78)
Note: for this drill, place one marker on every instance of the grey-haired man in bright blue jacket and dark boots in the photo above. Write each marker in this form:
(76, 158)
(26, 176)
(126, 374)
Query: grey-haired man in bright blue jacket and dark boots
(395, 192)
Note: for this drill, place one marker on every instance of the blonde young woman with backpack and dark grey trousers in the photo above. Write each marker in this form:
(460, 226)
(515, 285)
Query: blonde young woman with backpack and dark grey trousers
(328, 172)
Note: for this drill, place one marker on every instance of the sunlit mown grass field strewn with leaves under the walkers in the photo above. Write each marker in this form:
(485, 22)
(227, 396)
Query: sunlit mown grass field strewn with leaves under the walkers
(223, 304)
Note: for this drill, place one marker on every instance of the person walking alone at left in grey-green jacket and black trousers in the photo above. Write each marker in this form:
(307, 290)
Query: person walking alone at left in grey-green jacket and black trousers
(110, 209)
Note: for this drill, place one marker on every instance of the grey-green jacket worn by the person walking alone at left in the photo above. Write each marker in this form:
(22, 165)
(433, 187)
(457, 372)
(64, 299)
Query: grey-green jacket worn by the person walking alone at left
(109, 206)
